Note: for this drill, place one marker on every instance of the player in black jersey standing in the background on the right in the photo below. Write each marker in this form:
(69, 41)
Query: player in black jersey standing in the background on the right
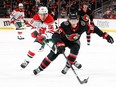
(86, 15)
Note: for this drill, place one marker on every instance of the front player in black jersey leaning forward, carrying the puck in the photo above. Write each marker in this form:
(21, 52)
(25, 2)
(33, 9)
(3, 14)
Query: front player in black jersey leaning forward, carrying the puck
(68, 35)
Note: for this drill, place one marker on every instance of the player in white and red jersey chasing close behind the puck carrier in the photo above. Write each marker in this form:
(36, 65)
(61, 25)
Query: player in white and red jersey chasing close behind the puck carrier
(44, 24)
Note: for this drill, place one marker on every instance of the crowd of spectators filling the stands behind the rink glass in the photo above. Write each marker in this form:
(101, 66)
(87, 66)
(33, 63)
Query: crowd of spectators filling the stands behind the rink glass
(60, 8)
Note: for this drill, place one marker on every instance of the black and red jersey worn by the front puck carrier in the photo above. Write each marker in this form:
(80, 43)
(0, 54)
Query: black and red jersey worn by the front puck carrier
(65, 32)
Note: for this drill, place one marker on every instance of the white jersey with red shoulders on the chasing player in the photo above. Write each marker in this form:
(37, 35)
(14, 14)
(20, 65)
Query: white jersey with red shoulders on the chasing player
(46, 27)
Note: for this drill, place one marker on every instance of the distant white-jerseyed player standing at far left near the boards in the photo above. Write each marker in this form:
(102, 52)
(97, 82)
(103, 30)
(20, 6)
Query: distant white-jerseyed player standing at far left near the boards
(17, 20)
